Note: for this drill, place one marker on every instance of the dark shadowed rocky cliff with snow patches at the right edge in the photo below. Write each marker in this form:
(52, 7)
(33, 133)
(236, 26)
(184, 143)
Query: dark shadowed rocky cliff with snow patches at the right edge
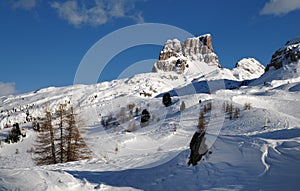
(288, 54)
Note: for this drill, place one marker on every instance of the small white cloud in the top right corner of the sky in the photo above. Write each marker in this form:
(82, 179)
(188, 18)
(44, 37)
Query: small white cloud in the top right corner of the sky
(280, 7)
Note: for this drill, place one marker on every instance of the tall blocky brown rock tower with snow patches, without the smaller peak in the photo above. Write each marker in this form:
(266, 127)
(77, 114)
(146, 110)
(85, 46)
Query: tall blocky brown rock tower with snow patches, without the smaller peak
(177, 56)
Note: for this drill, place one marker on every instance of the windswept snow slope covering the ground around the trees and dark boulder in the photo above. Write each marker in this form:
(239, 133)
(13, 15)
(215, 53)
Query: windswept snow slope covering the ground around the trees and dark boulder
(244, 154)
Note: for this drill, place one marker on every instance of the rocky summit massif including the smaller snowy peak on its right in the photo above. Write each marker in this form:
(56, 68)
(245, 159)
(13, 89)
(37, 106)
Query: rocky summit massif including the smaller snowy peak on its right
(195, 58)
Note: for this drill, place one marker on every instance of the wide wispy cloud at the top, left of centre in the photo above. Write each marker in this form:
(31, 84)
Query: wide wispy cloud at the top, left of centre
(78, 13)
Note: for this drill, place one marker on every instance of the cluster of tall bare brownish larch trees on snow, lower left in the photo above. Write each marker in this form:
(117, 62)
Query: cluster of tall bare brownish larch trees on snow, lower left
(59, 139)
